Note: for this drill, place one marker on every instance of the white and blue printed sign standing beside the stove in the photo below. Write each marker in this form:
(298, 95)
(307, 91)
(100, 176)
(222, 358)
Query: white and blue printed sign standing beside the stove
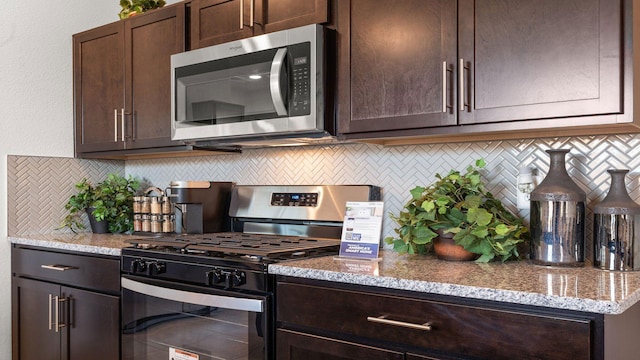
(361, 230)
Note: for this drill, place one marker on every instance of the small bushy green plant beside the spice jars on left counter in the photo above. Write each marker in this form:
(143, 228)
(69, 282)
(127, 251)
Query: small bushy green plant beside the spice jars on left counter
(110, 200)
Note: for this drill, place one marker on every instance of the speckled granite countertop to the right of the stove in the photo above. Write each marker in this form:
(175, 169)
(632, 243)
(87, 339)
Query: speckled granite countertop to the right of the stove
(583, 289)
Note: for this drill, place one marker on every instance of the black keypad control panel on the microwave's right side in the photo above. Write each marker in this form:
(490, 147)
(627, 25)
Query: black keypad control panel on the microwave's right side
(299, 63)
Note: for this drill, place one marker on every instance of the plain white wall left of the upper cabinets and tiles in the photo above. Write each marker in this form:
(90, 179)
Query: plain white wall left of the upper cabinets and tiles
(36, 103)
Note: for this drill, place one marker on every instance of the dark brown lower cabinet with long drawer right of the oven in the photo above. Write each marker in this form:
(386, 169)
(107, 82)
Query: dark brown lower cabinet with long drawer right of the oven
(325, 320)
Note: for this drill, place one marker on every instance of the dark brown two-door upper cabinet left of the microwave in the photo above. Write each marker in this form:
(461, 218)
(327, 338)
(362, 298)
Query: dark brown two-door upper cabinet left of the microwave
(122, 82)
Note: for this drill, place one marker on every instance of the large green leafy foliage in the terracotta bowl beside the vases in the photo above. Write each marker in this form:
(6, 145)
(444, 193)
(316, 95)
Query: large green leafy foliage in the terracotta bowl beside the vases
(458, 204)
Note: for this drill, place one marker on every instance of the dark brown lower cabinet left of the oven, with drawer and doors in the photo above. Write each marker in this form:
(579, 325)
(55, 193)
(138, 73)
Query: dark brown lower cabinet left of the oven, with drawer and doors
(54, 320)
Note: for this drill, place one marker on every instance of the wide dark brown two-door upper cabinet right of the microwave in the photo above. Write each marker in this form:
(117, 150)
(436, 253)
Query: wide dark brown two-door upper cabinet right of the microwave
(409, 69)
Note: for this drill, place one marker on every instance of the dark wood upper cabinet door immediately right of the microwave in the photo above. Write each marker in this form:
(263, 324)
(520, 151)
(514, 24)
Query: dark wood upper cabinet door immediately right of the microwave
(396, 64)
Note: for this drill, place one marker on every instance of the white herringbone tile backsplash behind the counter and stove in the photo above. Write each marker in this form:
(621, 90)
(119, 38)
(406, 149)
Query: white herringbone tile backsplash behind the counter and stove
(395, 169)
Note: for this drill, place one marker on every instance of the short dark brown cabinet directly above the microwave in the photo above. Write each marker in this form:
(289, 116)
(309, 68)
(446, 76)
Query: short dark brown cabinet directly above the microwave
(218, 21)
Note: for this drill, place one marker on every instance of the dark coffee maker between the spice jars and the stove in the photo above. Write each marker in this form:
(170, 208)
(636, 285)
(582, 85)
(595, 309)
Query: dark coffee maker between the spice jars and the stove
(203, 206)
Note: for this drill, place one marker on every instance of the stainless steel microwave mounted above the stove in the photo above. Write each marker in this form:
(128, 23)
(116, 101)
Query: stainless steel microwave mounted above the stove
(267, 86)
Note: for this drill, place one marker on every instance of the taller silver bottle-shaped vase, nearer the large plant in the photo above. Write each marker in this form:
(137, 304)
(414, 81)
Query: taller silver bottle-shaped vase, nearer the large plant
(557, 217)
